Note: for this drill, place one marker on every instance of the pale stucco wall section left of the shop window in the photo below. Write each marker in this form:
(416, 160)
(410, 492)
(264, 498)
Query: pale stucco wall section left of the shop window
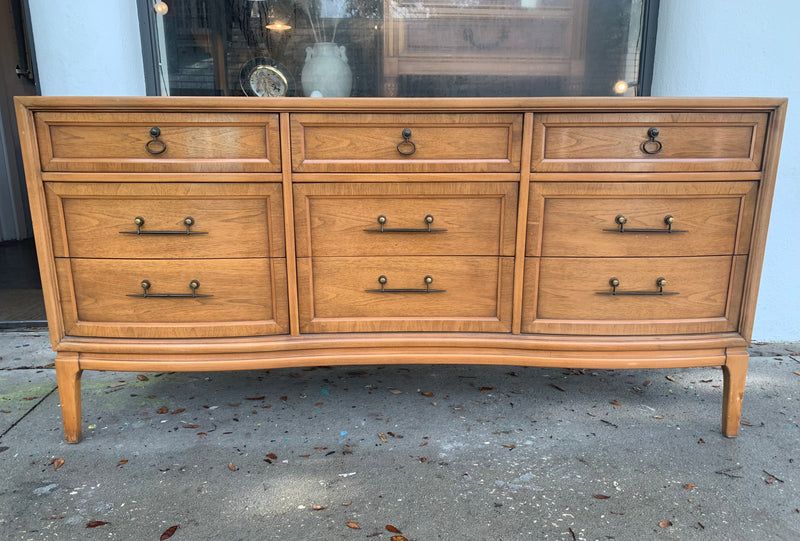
(87, 48)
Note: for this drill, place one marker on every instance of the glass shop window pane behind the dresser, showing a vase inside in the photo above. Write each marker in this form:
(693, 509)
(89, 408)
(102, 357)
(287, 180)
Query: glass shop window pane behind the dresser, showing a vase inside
(399, 47)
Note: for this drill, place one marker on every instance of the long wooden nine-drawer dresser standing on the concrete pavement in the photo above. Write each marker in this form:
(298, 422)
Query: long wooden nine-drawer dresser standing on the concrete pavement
(187, 234)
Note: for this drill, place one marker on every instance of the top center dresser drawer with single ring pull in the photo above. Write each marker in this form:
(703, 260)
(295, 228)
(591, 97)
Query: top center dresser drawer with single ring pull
(455, 142)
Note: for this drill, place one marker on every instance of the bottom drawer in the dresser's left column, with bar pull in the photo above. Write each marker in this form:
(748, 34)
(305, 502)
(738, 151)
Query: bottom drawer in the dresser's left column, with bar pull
(156, 298)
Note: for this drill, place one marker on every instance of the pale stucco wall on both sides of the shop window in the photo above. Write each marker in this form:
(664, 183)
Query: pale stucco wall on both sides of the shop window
(704, 48)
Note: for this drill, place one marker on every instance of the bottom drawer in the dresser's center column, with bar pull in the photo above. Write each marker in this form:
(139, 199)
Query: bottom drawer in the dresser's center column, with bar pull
(344, 294)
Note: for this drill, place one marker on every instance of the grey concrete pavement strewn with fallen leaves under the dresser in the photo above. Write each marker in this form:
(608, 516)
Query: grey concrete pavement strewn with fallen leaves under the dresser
(487, 453)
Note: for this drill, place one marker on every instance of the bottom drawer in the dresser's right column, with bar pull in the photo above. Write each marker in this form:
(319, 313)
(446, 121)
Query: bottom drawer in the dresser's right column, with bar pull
(573, 295)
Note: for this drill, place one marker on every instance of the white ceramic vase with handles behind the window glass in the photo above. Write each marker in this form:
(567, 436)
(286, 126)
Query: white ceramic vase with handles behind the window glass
(326, 71)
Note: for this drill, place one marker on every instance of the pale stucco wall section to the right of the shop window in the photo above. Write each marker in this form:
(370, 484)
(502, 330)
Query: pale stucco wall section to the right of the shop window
(746, 48)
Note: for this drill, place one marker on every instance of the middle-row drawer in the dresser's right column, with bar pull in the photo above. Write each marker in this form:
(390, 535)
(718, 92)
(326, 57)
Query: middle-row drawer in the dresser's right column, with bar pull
(640, 219)
